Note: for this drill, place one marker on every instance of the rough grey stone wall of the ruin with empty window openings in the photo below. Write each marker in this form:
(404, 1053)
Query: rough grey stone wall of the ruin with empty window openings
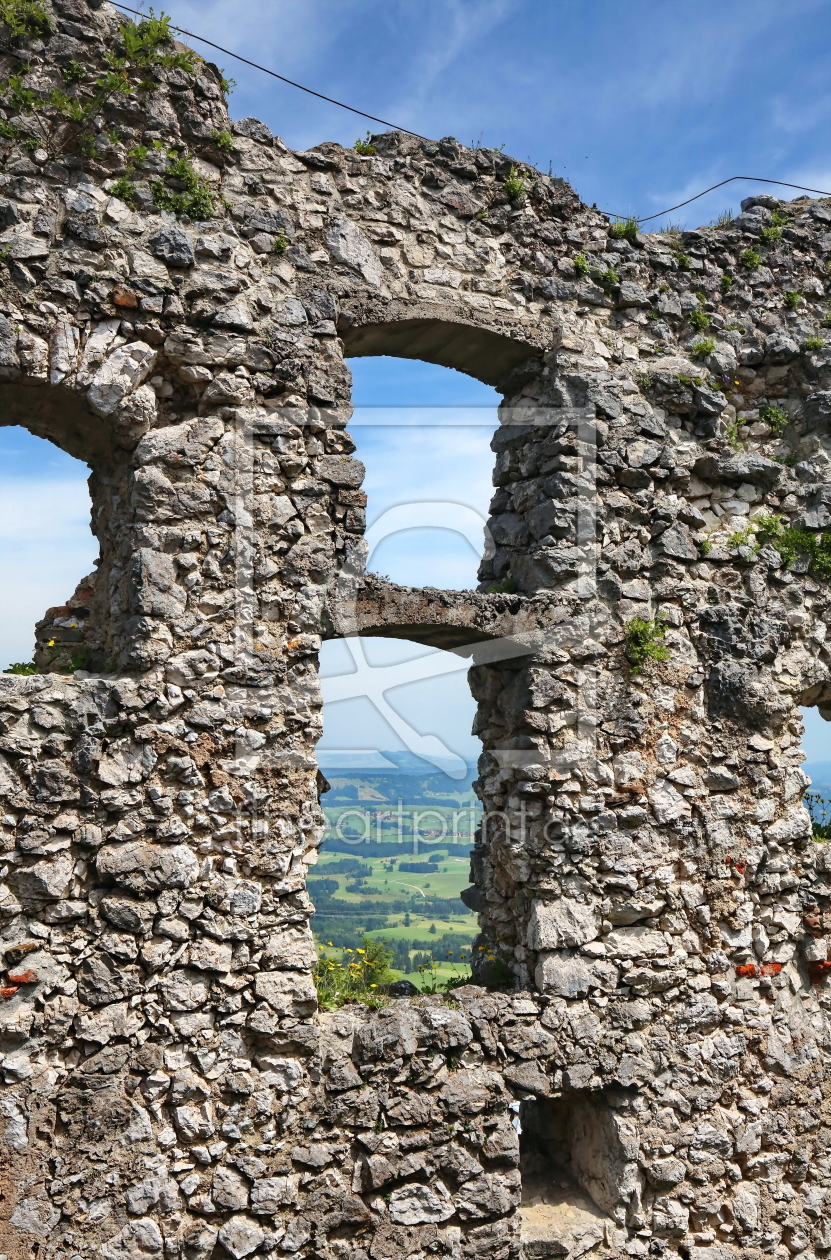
(647, 878)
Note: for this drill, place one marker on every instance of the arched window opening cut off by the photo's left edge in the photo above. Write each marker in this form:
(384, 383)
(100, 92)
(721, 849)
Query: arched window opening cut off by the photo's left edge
(47, 555)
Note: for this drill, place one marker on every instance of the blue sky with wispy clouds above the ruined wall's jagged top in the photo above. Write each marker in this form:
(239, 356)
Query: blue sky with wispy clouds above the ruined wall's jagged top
(639, 105)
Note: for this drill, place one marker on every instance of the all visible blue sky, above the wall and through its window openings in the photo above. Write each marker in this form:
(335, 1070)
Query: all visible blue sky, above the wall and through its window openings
(638, 105)
